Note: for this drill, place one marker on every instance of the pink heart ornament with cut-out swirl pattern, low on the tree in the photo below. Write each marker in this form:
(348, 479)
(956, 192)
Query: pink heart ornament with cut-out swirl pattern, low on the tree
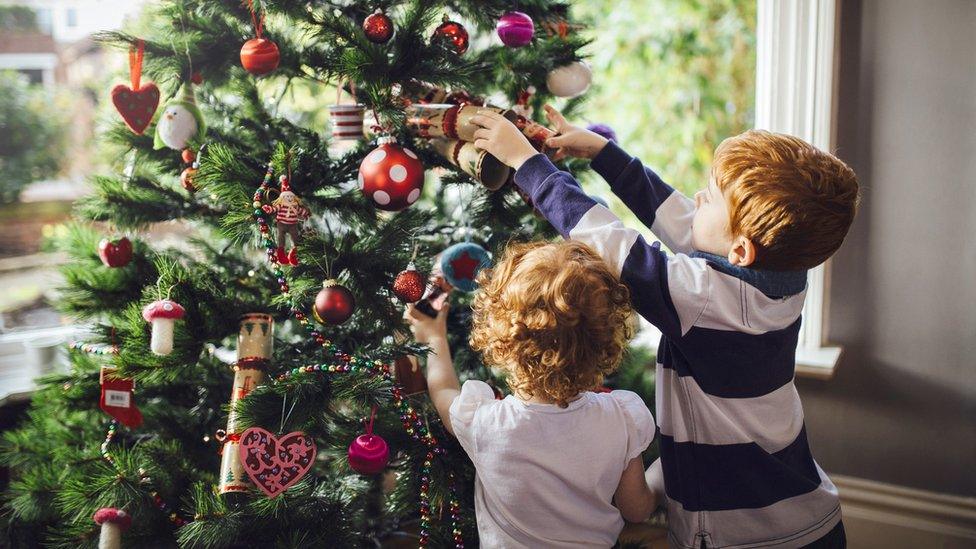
(273, 463)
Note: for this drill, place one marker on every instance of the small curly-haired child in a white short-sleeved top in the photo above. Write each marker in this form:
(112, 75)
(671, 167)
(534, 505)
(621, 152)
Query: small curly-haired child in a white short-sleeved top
(557, 465)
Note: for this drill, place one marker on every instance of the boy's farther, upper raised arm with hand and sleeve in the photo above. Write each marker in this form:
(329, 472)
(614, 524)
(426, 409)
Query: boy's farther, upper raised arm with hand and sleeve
(661, 208)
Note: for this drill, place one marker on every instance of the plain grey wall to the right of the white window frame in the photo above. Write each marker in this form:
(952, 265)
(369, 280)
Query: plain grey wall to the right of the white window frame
(902, 407)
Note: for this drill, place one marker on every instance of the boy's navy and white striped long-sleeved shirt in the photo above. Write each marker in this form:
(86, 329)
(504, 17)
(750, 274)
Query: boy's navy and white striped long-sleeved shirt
(737, 468)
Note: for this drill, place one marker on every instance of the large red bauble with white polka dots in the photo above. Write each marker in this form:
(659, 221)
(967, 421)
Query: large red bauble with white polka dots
(391, 176)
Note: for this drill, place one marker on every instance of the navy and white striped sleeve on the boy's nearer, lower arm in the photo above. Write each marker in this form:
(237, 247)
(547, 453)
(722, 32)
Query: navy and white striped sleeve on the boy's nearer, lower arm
(643, 267)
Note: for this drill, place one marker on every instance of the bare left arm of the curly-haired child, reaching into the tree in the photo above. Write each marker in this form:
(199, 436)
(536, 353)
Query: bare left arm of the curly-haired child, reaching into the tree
(442, 382)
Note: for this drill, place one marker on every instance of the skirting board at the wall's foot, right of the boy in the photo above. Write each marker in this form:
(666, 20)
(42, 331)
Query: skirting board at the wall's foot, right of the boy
(877, 514)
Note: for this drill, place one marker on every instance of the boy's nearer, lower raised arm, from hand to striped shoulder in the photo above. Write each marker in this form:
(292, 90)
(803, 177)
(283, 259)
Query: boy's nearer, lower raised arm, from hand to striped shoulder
(669, 293)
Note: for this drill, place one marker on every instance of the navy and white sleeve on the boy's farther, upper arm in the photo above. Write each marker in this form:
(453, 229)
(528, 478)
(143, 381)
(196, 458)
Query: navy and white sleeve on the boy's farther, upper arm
(665, 211)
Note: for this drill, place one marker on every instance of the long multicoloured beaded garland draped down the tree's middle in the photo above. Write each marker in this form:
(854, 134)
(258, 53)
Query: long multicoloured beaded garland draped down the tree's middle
(413, 424)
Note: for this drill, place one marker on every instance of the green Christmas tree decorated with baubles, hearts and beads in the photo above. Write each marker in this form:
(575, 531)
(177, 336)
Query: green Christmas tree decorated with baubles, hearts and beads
(252, 386)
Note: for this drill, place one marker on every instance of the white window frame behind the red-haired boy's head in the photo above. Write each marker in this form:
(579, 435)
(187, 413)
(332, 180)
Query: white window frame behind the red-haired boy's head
(796, 88)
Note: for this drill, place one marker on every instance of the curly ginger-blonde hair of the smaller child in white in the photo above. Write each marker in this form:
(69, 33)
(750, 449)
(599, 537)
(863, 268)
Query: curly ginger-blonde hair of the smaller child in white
(554, 316)
